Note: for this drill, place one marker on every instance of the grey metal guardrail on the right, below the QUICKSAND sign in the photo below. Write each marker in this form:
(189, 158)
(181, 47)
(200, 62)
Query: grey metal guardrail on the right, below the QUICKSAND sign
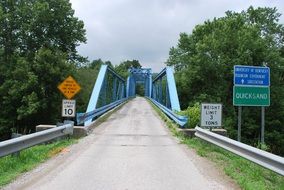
(263, 158)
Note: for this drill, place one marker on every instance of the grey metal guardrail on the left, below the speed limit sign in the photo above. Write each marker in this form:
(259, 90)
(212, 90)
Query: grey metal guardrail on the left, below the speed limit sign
(26, 141)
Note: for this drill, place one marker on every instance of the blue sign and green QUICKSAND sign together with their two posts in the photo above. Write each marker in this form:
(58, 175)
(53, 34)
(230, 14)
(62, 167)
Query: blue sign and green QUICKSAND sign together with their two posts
(251, 89)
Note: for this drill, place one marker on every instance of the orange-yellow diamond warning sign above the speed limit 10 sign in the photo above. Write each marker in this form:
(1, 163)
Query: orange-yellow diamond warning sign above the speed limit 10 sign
(69, 87)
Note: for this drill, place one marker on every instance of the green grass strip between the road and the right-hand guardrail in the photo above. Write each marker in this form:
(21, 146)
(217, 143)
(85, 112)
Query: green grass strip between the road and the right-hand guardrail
(247, 174)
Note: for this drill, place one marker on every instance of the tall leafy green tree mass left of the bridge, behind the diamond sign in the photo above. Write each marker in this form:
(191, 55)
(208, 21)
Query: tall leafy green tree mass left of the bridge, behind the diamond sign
(36, 52)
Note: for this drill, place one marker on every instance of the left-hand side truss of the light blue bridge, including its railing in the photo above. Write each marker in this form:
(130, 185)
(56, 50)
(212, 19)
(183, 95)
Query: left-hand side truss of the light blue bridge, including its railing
(109, 91)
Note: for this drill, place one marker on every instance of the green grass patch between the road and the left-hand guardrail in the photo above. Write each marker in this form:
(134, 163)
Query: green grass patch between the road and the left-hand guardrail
(13, 166)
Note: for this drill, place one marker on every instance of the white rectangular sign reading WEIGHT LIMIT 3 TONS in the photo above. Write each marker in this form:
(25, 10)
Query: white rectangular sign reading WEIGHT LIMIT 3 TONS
(211, 115)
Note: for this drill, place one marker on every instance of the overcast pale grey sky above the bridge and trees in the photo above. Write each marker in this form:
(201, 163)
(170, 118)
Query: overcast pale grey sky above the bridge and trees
(144, 30)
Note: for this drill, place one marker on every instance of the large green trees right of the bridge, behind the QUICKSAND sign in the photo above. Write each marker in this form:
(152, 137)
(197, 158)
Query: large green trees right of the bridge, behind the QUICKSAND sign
(204, 63)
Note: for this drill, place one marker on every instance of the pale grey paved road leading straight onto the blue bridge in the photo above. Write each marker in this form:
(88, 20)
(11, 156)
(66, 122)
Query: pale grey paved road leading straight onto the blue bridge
(131, 150)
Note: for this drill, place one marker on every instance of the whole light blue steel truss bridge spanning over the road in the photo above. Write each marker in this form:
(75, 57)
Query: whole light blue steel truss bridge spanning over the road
(110, 90)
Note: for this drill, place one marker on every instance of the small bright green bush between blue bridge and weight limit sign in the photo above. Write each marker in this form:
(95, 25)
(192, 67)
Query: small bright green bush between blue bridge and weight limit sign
(193, 113)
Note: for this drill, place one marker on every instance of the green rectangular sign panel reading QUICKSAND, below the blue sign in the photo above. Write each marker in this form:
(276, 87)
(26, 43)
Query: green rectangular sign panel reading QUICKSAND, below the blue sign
(251, 96)
